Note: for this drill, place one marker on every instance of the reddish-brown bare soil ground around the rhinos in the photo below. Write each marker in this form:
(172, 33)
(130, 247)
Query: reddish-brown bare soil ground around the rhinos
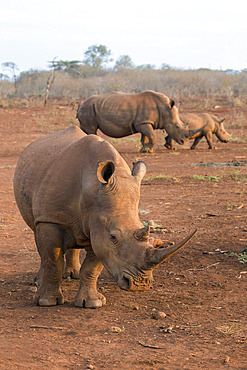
(201, 289)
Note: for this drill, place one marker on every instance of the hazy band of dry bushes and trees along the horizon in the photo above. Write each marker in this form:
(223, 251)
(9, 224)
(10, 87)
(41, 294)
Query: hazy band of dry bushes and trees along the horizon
(96, 74)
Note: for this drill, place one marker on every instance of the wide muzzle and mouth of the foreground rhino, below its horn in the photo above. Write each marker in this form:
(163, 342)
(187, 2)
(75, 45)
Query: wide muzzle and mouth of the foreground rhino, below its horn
(127, 282)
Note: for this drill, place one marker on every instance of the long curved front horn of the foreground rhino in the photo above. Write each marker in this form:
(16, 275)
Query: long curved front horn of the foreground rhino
(155, 256)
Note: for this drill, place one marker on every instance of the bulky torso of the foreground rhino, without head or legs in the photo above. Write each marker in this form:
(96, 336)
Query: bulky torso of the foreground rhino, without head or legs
(54, 190)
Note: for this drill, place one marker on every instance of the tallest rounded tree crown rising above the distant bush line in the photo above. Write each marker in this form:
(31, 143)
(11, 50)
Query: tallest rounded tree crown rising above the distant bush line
(97, 56)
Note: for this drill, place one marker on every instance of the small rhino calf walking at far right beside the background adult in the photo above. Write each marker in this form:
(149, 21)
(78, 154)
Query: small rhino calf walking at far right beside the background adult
(196, 120)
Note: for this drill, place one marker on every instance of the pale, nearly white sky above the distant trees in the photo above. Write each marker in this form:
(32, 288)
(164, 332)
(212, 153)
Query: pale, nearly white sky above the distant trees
(183, 34)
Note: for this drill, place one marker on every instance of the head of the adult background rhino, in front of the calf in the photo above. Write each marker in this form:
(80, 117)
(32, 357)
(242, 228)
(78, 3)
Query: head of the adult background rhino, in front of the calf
(175, 128)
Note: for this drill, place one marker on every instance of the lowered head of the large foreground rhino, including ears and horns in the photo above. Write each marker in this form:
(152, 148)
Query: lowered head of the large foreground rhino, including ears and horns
(117, 235)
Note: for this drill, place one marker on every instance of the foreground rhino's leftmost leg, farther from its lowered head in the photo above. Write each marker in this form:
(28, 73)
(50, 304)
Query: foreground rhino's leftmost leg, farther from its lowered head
(49, 240)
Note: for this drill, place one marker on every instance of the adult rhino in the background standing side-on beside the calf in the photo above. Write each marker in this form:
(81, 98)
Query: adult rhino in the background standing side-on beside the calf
(119, 114)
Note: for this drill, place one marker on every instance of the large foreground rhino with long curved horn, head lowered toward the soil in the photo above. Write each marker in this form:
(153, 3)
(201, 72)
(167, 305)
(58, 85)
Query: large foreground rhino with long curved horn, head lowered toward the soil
(75, 191)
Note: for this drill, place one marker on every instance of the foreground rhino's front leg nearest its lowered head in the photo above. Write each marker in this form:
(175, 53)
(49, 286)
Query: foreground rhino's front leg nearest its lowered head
(87, 295)
